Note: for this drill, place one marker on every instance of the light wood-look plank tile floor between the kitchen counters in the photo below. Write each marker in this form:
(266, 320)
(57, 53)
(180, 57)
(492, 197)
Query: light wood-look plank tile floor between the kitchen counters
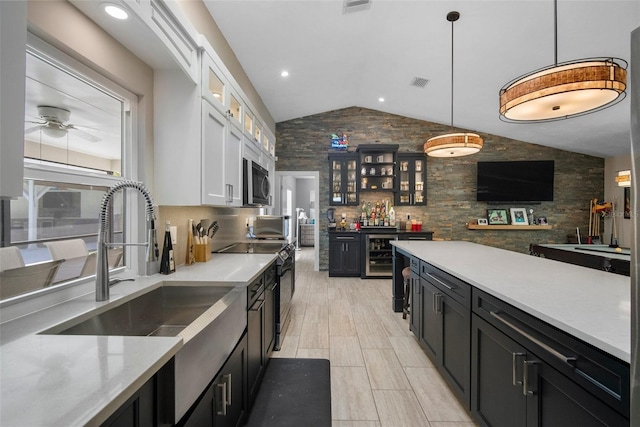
(380, 377)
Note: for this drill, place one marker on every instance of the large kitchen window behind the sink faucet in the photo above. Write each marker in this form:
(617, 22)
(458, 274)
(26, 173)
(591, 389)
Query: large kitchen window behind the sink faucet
(78, 143)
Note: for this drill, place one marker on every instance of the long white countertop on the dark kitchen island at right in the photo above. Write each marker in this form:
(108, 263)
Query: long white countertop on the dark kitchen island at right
(593, 306)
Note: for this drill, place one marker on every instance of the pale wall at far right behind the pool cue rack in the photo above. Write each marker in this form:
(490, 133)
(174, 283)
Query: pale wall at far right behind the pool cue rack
(615, 194)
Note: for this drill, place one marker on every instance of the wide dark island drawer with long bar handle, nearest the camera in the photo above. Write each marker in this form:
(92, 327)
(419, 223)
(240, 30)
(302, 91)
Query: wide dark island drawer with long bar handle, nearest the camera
(601, 374)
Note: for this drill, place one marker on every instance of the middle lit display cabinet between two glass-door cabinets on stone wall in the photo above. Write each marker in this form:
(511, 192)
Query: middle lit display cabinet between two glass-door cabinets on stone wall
(378, 167)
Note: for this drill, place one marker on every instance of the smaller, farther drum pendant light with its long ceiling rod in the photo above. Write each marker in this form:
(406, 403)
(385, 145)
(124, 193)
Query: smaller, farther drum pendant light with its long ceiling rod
(453, 144)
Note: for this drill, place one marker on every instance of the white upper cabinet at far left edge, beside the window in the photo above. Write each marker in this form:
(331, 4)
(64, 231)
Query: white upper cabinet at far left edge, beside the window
(13, 44)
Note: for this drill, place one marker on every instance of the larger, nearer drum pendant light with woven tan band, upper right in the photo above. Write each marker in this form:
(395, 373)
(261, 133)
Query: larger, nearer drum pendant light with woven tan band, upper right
(564, 90)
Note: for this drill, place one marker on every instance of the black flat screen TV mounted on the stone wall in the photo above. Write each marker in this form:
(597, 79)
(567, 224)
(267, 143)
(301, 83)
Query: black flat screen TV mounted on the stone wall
(515, 181)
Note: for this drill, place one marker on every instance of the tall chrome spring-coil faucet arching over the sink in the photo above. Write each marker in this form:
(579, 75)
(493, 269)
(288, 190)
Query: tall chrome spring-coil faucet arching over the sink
(102, 267)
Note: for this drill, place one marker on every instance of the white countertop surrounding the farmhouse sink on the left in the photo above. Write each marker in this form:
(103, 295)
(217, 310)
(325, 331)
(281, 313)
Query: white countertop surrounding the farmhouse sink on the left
(77, 380)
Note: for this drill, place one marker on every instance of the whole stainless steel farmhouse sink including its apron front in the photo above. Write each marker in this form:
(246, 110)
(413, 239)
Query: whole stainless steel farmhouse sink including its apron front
(209, 317)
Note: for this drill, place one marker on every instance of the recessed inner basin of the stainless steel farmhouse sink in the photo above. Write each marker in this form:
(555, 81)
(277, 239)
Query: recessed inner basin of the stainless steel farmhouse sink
(165, 311)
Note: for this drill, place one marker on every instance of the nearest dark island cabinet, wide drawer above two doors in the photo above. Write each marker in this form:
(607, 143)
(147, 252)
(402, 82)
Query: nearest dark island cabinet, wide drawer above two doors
(544, 377)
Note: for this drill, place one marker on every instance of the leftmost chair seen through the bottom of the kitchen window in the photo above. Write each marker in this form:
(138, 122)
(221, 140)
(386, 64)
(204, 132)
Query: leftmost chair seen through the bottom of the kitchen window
(16, 278)
